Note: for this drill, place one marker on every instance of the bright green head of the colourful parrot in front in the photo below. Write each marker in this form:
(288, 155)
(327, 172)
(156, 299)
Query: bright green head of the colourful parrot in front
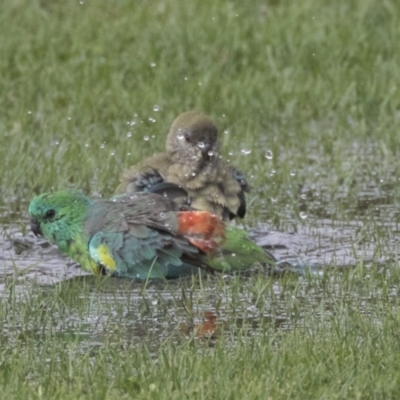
(59, 216)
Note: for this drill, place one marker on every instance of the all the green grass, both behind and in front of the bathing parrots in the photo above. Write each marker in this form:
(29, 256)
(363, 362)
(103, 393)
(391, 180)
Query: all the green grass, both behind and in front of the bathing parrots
(90, 88)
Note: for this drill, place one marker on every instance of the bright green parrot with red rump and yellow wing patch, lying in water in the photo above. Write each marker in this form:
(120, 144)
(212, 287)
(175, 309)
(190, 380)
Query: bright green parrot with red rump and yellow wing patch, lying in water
(146, 235)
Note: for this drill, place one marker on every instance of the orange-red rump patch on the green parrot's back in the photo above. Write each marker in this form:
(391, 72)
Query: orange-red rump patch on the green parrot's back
(201, 228)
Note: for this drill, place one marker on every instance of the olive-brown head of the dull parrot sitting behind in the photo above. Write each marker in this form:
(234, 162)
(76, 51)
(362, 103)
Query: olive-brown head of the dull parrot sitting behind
(193, 139)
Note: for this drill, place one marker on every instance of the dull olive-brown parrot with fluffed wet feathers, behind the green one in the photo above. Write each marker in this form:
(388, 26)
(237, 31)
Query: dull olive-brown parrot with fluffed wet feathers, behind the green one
(192, 161)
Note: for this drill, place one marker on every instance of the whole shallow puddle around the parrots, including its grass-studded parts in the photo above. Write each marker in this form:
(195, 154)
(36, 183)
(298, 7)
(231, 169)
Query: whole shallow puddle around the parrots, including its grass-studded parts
(340, 232)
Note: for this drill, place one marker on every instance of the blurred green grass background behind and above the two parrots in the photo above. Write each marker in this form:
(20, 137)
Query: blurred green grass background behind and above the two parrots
(316, 83)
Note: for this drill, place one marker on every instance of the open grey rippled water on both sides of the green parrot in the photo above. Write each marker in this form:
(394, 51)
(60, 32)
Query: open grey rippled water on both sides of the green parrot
(323, 246)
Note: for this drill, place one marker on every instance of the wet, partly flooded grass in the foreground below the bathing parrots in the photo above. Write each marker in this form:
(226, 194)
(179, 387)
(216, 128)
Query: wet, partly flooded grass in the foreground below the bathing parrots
(332, 337)
